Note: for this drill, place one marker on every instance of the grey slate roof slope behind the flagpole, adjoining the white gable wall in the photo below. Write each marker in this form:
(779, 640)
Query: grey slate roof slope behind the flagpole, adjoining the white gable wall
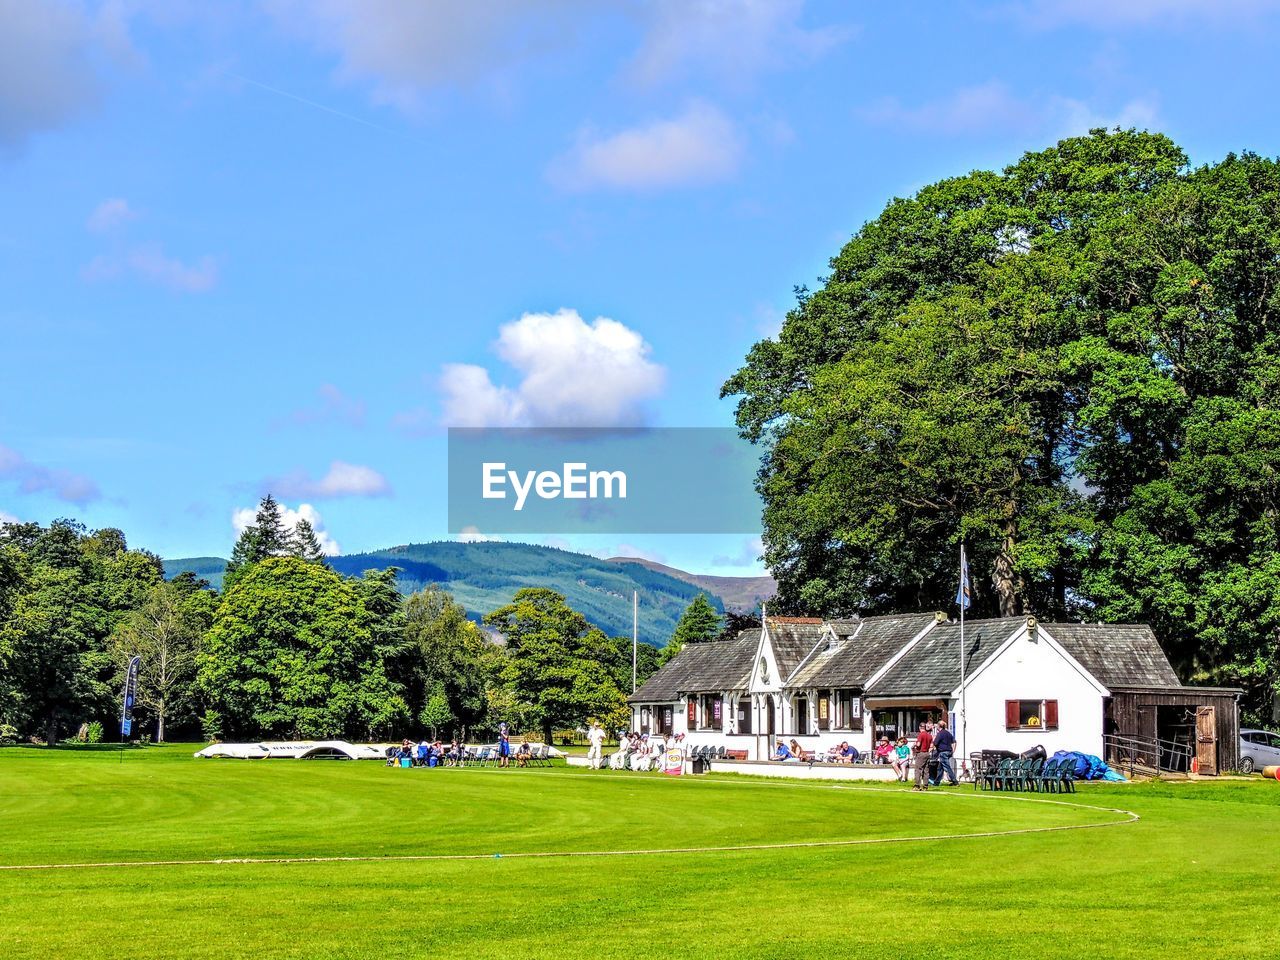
(932, 668)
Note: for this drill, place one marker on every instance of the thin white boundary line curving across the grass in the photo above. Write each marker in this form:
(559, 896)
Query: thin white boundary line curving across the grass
(1128, 817)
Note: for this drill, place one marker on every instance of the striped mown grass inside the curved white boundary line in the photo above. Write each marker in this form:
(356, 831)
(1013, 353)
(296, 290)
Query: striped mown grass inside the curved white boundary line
(104, 811)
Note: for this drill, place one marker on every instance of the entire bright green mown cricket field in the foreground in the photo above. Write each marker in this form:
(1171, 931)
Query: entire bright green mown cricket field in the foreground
(1194, 877)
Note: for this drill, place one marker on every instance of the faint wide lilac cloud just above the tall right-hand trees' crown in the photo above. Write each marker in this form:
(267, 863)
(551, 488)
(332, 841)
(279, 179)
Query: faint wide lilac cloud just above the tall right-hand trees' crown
(994, 108)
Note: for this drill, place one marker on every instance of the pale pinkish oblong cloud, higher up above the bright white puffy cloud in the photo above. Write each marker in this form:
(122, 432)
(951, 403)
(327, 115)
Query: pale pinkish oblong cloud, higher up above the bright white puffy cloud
(700, 147)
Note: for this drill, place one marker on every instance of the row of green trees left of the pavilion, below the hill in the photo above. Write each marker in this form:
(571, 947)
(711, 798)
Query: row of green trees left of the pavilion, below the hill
(287, 650)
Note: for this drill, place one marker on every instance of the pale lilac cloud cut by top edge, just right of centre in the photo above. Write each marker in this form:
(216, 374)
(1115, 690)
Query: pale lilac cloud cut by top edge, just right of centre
(733, 40)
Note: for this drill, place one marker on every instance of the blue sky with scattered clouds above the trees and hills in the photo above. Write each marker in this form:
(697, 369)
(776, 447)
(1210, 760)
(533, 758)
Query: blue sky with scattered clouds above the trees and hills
(281, 246)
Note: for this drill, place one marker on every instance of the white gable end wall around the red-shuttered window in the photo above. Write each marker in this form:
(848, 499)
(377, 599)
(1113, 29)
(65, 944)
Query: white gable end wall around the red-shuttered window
(1034, 671)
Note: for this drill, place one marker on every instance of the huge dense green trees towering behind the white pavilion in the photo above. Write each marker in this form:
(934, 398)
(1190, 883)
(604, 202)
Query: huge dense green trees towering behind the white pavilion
(1073, 368)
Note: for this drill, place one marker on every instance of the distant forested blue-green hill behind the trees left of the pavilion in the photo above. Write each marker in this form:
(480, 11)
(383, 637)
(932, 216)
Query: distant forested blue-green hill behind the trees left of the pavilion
(484, 577)
